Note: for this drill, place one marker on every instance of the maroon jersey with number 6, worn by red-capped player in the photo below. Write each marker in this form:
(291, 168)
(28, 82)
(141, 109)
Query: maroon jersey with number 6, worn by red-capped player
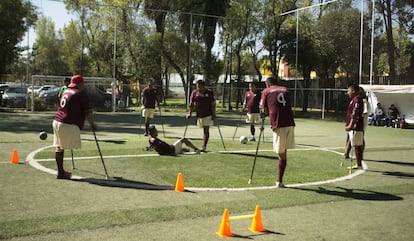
(73, 106)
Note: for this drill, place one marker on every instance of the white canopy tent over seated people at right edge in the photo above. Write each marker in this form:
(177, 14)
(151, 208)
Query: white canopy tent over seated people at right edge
(402, 96)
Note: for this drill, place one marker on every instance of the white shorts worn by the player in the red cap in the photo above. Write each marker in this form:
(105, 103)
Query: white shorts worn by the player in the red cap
(66, 136)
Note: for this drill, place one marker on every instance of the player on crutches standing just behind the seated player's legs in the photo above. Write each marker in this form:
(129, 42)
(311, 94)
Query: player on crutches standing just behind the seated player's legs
(205, 105)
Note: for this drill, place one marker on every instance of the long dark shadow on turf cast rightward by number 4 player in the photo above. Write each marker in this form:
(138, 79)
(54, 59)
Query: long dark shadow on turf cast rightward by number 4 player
(358, 194)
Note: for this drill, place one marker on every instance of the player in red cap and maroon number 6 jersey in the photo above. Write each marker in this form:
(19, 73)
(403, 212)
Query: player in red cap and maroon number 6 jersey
(69, 119)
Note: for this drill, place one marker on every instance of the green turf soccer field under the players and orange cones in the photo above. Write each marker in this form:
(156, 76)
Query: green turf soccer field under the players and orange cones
(377, 204)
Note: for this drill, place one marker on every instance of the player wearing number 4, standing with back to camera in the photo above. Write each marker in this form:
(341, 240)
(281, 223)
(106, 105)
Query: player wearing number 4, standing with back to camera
(276, 101)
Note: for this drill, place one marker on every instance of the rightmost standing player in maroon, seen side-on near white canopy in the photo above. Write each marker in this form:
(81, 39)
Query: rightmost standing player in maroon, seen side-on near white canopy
(354, 123)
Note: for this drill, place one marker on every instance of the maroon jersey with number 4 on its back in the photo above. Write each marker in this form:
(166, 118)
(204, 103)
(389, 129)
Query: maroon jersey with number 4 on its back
(278, 101)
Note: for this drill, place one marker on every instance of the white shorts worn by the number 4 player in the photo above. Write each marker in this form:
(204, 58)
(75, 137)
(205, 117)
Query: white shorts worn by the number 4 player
(283, 139)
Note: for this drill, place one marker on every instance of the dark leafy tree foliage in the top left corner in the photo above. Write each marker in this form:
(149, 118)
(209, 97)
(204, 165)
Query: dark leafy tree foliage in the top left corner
(13, 26)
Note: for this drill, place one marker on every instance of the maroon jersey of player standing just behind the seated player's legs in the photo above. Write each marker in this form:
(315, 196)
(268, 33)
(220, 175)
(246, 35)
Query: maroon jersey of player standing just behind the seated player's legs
(203, 102)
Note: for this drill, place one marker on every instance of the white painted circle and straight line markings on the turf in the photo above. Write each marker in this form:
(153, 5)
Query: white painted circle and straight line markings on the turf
(35, 164)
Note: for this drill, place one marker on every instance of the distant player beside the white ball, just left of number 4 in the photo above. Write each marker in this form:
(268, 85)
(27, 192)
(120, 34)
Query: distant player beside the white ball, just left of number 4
(252, 101)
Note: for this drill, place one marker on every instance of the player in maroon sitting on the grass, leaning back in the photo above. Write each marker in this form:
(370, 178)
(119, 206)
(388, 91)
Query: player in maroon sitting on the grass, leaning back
(163, 148)
